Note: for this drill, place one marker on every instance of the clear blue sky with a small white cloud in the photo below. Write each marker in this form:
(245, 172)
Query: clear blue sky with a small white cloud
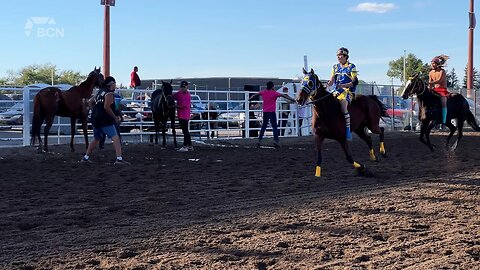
(233, 38)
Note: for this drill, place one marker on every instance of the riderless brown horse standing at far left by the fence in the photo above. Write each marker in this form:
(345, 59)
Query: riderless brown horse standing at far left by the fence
(51, 101)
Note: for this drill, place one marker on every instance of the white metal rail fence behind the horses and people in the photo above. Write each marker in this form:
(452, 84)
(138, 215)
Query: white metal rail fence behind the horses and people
(225, 114)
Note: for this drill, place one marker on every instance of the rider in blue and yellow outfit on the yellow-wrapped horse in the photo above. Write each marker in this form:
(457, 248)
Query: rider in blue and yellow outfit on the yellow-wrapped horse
(344, 77)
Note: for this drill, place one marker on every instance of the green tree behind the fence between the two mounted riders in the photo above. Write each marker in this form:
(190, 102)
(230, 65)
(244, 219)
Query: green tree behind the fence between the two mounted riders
(413, 65)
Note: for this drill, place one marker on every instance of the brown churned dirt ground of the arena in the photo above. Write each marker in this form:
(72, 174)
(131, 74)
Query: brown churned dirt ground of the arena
(230, 205)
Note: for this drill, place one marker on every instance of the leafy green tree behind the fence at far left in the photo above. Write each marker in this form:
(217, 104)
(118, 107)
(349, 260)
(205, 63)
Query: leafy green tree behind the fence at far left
(46, 73)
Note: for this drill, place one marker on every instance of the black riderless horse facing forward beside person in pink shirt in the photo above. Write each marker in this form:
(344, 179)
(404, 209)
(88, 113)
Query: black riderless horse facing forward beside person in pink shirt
(163, 108)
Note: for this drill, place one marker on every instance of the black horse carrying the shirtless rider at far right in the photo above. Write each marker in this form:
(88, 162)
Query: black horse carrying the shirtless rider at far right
(430, 111)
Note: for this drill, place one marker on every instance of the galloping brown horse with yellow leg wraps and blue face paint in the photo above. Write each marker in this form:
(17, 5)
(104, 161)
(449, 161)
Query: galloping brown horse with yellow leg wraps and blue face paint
(329, 122)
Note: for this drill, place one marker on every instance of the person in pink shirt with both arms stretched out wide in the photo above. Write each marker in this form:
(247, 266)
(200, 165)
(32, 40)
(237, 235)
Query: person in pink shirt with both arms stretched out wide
(269, 97)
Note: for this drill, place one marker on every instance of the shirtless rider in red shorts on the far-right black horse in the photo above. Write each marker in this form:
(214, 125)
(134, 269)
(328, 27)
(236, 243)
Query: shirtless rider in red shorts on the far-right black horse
(437, 81)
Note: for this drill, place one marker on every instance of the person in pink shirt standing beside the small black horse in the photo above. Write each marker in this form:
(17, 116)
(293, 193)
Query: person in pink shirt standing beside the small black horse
(183, 99)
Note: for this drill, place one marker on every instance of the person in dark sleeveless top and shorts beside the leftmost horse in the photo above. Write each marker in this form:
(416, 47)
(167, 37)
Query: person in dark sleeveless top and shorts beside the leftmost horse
(104, 119)
